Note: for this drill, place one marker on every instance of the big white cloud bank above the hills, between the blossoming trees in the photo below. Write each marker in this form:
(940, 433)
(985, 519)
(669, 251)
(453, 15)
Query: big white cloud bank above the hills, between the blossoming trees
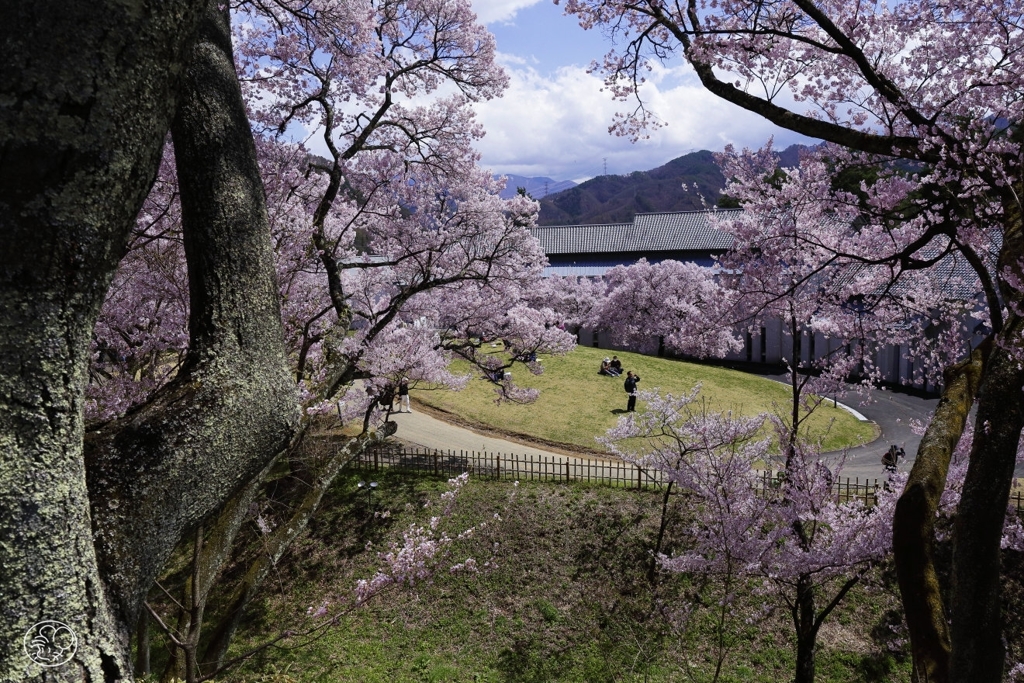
(558, 126)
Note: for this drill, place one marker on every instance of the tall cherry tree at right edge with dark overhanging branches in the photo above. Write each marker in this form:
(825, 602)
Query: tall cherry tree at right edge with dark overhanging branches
(927, 94)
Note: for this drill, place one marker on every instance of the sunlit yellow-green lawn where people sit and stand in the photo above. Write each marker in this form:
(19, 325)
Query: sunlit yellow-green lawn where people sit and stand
(577, 405)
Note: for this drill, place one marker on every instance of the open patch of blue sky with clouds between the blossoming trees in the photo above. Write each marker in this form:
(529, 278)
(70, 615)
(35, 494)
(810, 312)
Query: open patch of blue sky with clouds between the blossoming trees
(553, 120)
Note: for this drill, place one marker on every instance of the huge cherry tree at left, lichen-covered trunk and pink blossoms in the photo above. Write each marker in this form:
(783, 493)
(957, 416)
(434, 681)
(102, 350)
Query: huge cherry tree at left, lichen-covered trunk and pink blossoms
(191, 419)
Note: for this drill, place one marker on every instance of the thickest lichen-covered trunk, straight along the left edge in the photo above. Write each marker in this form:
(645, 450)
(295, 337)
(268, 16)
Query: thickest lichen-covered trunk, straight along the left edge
(87, 97)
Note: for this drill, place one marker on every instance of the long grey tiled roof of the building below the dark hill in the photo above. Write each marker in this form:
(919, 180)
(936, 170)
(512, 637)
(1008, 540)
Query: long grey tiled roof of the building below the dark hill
(650, 233)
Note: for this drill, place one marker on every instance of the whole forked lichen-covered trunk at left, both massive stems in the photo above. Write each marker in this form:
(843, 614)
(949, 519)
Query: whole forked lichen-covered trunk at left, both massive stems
(86, 104)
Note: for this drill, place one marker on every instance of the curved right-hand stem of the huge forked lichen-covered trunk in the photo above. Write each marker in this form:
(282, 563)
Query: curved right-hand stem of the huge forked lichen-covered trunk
(168, 465)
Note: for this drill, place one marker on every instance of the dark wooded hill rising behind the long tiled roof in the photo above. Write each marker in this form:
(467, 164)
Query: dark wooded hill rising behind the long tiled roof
(616, 199)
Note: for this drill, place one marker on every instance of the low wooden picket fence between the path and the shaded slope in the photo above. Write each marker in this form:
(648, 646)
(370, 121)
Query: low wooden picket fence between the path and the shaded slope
(569, 469)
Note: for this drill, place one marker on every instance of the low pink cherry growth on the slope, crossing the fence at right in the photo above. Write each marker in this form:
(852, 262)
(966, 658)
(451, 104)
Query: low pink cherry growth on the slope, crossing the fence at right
(805, 545)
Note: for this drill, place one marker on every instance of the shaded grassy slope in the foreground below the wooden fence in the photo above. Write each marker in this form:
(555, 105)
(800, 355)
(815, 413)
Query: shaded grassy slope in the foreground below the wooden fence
(568, 600)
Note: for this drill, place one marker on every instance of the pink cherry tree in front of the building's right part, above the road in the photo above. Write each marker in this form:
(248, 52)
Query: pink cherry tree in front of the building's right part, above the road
(787, 265)
